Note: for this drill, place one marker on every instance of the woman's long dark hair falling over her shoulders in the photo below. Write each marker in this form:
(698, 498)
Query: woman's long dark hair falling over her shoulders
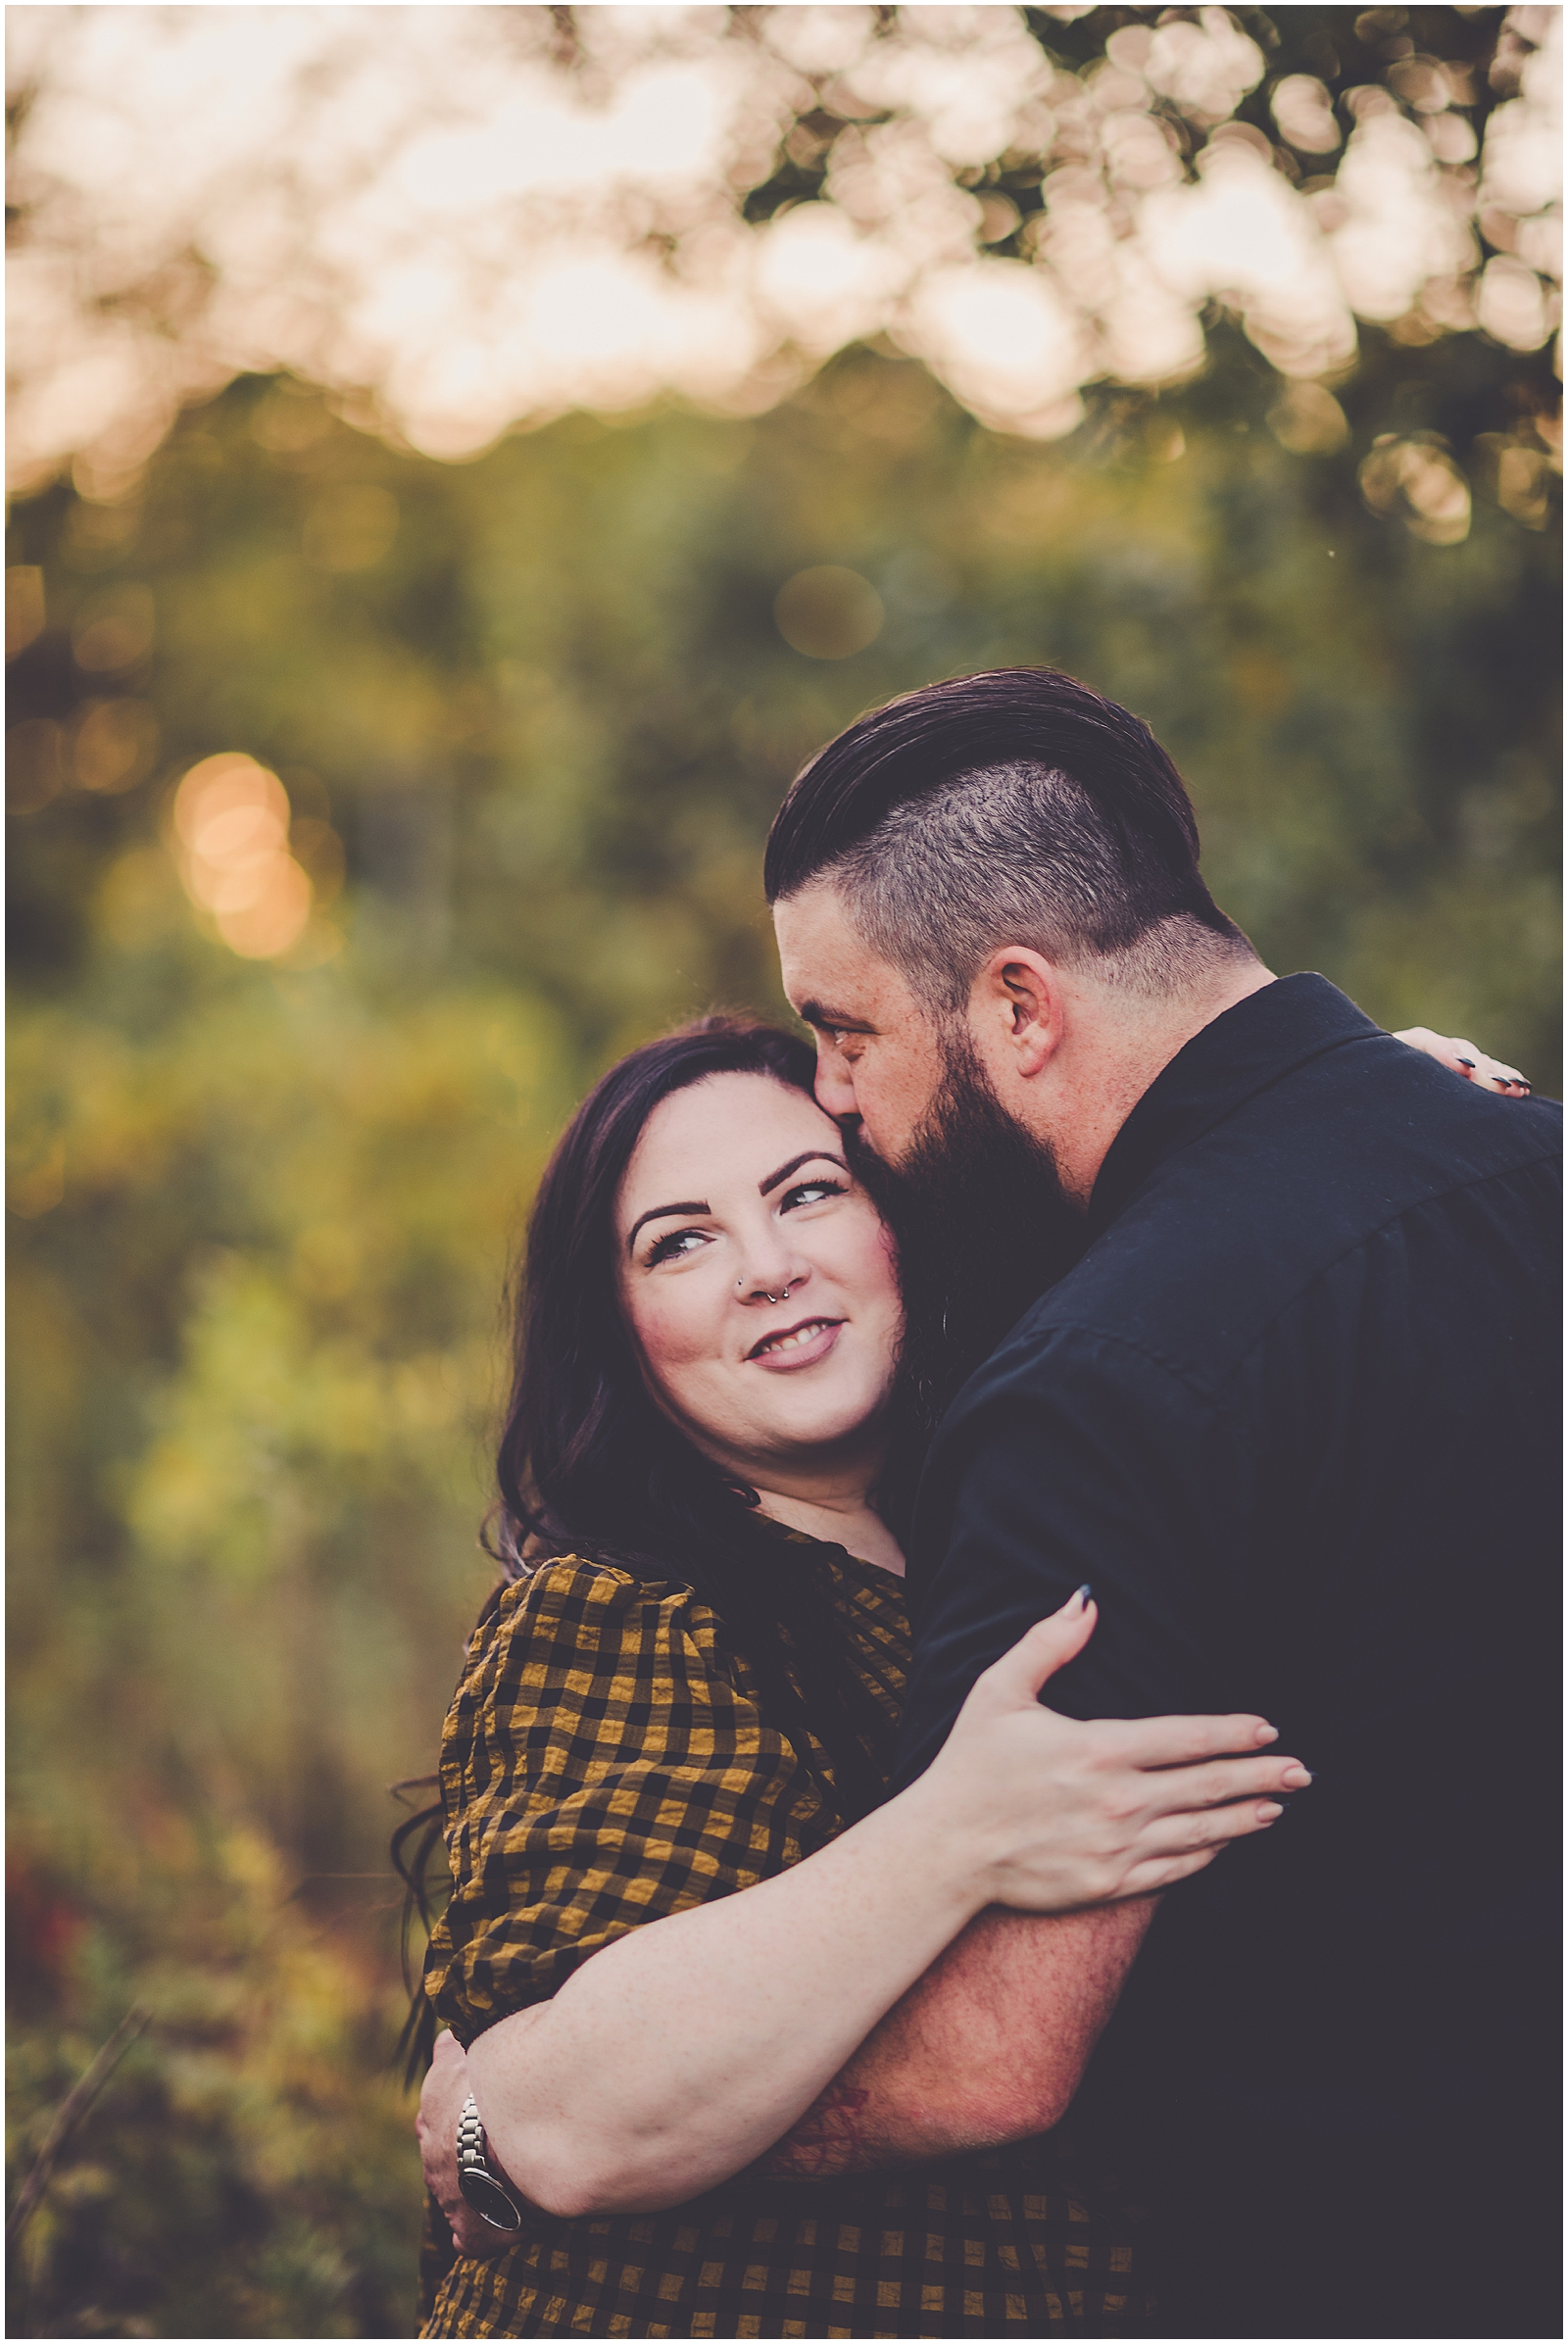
(589, 1464)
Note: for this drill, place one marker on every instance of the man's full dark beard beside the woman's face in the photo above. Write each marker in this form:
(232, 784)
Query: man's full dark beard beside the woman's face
(983, 1229)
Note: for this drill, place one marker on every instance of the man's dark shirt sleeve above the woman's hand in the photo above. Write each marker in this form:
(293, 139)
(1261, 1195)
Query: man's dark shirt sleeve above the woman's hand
(1089, 1464)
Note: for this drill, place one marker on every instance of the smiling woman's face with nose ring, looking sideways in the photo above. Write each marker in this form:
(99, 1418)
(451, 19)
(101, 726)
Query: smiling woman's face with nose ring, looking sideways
(758, 1276)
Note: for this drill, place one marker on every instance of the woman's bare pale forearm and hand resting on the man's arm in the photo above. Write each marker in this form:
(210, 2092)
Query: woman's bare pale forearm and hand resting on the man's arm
(688, 2047)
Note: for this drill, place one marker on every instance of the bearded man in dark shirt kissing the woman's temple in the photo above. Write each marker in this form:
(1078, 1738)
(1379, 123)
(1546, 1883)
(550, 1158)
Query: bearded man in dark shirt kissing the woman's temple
(1262, 1340)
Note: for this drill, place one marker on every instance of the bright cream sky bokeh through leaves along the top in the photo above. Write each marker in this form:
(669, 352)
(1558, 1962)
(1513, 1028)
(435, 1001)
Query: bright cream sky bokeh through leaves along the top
(524, 212)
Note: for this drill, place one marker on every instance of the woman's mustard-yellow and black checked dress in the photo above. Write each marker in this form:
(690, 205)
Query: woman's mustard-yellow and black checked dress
(606, 1762)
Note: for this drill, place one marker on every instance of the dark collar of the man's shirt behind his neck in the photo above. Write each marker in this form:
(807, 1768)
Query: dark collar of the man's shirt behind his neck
(1250, 1047)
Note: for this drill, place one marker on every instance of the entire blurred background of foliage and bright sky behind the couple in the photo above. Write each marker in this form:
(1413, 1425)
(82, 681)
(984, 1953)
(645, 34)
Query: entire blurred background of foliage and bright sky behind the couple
(364, 805)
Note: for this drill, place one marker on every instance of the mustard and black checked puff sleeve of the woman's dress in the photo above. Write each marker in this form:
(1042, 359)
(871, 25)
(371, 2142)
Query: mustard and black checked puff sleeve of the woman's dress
(604, 1764)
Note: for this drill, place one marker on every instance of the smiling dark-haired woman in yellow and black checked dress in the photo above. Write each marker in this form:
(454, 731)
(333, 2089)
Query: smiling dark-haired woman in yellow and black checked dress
(681, 1897)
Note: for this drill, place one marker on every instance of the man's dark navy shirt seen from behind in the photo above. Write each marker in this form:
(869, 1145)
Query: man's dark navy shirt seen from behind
(1295, 1415)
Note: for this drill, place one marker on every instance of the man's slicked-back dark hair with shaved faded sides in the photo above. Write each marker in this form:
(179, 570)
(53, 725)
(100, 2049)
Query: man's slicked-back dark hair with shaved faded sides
(1011, 808)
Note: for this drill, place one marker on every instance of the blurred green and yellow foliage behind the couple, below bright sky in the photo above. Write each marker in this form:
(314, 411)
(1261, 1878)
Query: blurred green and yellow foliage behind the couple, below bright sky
(533, 716)
